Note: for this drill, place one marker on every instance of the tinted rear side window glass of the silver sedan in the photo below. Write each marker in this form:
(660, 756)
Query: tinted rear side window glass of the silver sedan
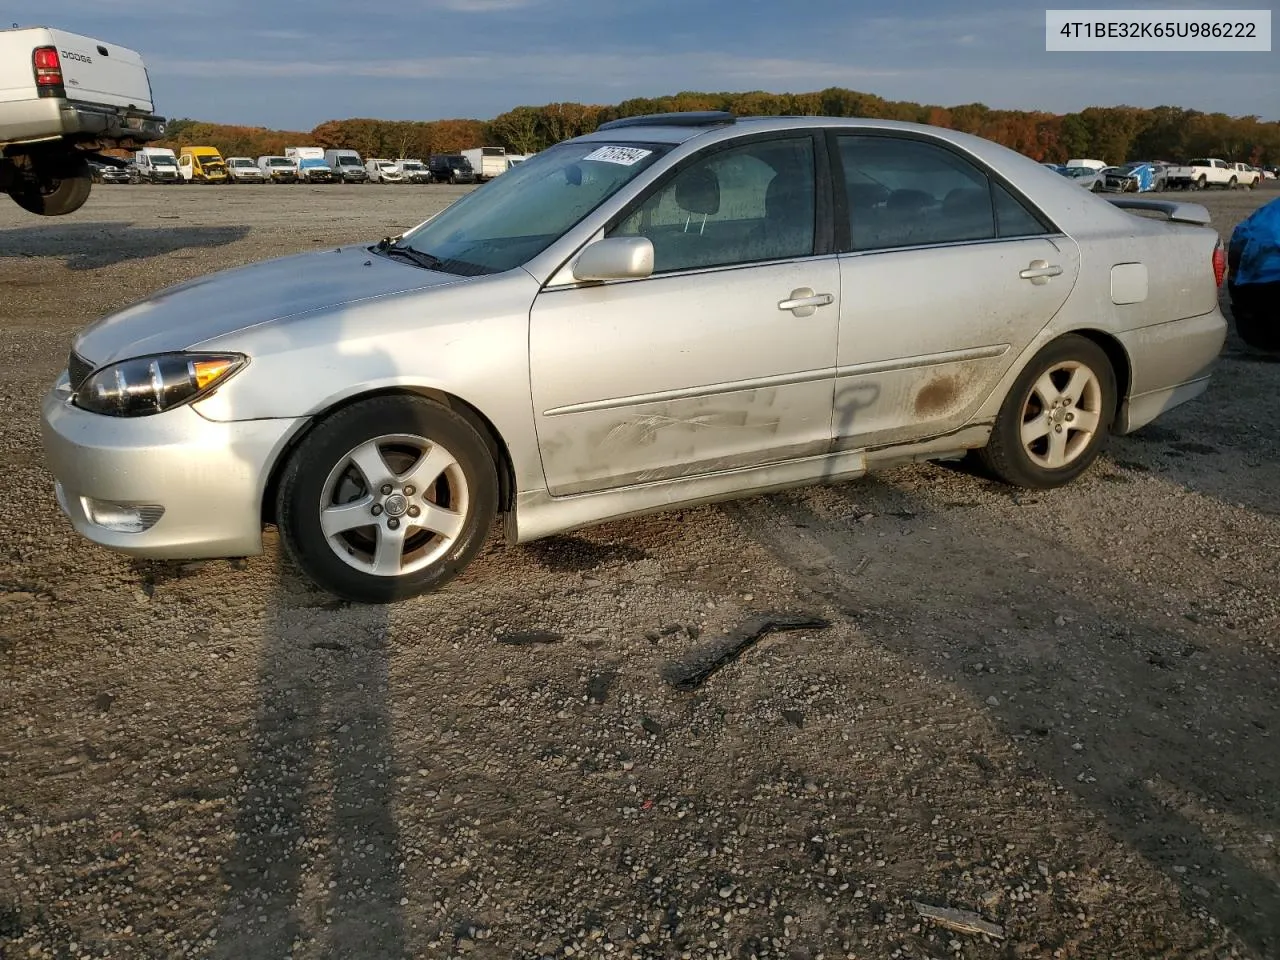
(907, 193)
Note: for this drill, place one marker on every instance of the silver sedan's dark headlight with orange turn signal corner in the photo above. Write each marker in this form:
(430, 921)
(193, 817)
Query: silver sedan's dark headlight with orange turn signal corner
(147, 386)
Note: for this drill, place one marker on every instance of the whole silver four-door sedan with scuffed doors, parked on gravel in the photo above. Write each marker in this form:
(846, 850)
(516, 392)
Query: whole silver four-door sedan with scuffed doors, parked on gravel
(673, 310)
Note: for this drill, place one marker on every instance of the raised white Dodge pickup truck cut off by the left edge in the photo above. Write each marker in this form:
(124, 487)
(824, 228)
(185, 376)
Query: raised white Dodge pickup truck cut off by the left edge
(63, 99)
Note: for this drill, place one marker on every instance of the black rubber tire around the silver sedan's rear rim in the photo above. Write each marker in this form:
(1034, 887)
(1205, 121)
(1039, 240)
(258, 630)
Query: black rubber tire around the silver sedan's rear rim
(1005, 455)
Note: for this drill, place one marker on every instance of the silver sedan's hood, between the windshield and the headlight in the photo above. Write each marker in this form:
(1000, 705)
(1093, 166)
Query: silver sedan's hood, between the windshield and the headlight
(182, 317)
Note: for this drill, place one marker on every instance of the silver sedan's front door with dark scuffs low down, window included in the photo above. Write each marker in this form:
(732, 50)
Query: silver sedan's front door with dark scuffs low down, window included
(724, 359)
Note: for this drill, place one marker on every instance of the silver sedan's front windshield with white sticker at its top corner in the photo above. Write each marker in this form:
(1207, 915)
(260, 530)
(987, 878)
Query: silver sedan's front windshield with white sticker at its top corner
(520, 214)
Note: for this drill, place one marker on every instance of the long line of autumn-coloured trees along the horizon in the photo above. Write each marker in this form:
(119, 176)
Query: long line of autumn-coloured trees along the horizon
(1110, 134)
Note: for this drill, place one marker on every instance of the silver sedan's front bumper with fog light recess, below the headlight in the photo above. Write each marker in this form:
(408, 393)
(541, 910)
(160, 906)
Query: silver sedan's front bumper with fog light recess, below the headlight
(208, 477)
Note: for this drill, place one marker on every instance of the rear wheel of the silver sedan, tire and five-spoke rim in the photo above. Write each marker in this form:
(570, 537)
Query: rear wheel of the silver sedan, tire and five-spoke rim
(1057, 418)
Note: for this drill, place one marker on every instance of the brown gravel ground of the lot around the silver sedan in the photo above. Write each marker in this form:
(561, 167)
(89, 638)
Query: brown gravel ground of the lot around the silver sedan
(1057, 711)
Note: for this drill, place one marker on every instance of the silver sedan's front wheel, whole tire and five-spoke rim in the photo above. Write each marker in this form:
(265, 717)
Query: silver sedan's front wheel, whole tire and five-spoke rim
(387, 500)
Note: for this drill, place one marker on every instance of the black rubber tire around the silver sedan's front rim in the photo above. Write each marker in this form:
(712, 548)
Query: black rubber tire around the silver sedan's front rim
(303, 491)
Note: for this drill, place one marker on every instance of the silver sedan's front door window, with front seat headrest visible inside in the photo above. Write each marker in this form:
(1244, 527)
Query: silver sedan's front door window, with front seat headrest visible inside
(742, 205)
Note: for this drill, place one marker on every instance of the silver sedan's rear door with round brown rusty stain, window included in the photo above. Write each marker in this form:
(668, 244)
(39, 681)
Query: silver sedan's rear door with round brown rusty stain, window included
(947, 277)
